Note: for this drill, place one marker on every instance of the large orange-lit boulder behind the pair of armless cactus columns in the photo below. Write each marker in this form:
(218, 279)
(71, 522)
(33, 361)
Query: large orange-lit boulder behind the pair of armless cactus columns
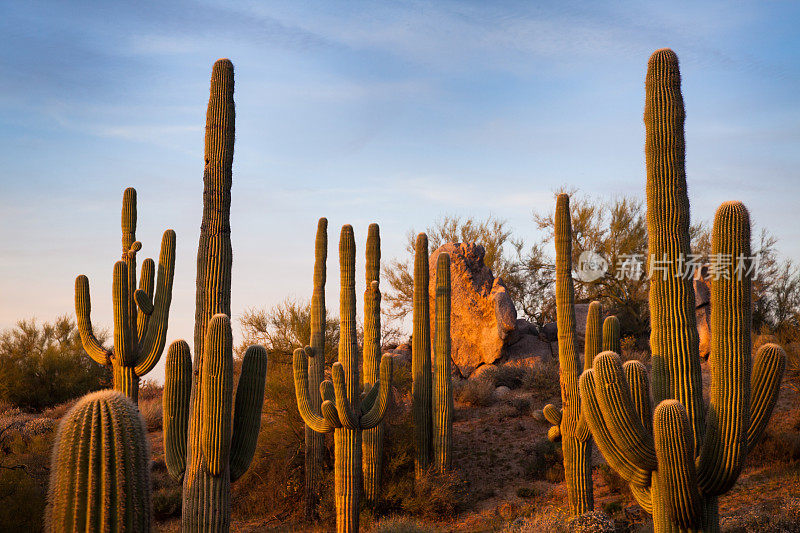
(482, 314)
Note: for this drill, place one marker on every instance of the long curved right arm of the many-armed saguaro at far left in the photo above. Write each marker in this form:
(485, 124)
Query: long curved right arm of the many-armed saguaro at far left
(156, 335)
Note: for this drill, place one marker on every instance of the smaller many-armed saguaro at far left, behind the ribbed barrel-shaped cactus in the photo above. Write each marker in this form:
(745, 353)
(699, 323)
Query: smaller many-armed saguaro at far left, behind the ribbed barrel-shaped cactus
(140, 321)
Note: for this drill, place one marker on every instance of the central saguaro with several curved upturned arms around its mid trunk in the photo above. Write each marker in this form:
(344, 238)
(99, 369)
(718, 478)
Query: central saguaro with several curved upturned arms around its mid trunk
(343, 410)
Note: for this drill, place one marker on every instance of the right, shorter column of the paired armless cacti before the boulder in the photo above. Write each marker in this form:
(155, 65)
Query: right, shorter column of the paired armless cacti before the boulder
(442, 392)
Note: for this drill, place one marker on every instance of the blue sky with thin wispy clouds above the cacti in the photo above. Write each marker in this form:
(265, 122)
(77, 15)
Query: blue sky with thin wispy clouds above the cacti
(394, 112)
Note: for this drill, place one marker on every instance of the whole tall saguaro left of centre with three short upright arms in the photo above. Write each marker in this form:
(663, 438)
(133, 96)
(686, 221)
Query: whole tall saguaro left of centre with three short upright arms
(208, 441)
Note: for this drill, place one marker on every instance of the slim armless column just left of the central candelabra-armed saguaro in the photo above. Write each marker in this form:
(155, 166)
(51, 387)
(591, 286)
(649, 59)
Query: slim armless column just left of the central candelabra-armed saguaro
(315, 442)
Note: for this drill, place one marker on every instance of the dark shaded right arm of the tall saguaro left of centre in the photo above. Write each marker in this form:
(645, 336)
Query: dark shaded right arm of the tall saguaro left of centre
(247, 410)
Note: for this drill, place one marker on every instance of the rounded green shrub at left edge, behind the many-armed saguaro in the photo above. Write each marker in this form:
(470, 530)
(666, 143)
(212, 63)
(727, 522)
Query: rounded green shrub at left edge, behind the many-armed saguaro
(42, 366)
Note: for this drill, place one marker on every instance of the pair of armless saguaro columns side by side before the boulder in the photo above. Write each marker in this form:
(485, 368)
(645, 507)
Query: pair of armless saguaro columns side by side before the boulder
(432, 395)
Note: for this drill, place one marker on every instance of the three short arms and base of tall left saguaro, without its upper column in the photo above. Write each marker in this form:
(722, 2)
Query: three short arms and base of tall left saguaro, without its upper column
(209, 441)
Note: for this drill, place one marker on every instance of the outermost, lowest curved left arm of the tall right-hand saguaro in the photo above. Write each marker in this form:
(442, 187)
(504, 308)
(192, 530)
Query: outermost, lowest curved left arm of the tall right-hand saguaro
(611, 450)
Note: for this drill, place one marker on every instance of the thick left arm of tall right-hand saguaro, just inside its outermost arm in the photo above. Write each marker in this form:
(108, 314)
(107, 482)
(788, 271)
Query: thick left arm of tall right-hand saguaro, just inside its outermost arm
(620, 414)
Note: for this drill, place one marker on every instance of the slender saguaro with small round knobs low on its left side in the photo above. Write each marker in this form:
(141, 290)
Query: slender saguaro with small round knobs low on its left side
(568, 424)
